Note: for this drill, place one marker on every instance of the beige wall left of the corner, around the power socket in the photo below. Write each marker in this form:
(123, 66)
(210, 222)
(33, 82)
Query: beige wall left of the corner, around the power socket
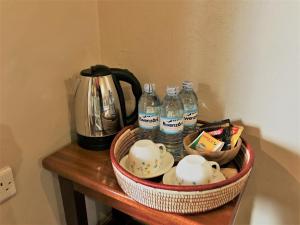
(43, 45)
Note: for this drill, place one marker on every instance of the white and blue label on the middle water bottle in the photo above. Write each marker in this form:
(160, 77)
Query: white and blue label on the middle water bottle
(171, 125)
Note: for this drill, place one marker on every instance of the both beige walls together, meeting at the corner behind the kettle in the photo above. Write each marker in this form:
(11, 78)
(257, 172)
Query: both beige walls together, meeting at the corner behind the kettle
(243, 57)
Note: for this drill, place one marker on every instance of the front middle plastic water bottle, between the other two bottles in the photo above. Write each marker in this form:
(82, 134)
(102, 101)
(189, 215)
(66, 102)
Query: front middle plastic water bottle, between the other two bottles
(171, 123)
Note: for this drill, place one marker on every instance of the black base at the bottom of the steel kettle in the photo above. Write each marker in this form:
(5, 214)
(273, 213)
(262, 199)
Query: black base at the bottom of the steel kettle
(95, 143)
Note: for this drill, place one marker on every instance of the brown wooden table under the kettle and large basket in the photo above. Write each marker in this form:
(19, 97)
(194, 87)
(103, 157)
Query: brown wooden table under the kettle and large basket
(83, 172)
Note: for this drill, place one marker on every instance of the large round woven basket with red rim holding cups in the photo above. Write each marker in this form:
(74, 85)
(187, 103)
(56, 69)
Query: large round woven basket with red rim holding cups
(177, 199)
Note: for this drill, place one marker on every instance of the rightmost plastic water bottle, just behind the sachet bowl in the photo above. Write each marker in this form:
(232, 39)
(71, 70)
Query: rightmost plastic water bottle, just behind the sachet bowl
(190, 105)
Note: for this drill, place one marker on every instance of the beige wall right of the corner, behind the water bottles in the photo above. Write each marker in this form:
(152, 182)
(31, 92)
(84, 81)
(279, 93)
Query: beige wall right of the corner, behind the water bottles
(243, 57)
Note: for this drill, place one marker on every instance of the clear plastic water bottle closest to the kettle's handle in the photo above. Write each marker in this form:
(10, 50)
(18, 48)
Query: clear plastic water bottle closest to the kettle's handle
(149, 110)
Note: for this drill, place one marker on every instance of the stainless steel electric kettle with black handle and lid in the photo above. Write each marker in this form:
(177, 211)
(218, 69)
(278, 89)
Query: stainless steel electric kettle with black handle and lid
(100, 108)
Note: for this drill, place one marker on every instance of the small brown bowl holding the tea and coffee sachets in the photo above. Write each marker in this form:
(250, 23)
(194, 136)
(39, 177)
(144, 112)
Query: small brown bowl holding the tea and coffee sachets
(221, 157)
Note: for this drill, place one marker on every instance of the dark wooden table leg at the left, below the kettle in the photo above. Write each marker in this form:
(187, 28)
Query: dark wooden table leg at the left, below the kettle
(74, 203)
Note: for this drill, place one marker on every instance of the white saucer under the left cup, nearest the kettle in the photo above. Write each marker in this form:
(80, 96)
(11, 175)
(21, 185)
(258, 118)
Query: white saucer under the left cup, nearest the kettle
(167, 163)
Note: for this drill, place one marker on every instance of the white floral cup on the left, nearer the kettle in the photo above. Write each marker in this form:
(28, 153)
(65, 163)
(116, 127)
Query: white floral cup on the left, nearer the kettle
(145, 157)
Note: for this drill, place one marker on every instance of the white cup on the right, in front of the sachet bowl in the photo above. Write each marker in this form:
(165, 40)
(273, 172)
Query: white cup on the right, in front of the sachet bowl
(195, 170)
